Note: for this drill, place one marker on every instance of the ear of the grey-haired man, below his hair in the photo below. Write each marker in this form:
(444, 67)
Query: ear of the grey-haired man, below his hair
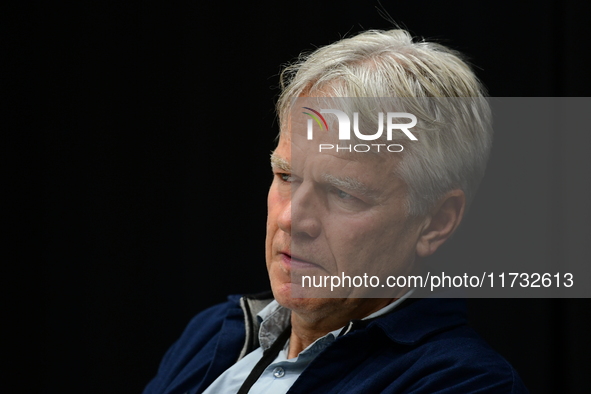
(445, 217)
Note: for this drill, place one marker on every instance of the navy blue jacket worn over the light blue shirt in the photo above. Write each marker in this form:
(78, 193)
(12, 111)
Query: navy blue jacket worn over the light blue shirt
(423, 346)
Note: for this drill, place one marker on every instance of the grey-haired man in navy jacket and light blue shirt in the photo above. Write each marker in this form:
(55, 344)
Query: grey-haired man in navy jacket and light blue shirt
(356, 205)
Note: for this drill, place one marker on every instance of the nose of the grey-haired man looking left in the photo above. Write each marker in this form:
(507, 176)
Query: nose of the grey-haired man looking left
(301, 216)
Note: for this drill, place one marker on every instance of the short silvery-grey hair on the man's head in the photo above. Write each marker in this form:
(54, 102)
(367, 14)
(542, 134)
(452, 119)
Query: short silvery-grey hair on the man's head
(431, 81)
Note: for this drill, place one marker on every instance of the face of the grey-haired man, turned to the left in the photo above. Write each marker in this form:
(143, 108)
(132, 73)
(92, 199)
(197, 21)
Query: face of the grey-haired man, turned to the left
(331, 213)
